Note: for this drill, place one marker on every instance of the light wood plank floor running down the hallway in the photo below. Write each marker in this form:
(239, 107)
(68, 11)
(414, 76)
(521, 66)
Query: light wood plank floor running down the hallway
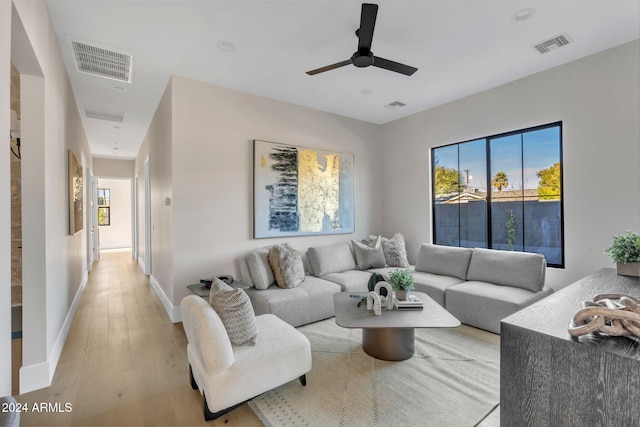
(124, 362)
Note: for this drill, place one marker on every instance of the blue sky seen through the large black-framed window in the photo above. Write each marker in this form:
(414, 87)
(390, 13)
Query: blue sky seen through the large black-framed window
(541, 150)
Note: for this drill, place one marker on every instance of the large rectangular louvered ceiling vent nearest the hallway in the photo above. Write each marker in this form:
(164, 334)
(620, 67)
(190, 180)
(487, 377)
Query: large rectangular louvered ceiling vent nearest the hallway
(102, 62)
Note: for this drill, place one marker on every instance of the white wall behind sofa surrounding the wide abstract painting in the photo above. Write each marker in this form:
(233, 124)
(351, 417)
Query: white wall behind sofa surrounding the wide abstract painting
(208, 174)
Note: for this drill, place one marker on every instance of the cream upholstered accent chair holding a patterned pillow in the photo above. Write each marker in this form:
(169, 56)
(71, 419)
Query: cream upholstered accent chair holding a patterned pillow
(228, 375)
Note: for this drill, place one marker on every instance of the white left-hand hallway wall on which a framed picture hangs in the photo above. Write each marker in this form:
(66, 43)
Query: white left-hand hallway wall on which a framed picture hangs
(54, 263)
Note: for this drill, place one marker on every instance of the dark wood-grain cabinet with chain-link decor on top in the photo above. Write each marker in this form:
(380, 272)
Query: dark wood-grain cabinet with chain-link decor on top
(548, 378)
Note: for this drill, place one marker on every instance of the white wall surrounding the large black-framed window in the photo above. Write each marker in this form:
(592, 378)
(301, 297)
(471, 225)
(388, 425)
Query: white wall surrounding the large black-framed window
(597, 99)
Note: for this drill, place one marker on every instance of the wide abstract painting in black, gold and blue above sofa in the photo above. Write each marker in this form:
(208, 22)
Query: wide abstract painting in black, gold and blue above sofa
(301, 191)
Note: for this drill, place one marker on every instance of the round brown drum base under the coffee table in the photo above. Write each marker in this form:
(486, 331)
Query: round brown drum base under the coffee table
(388, 343)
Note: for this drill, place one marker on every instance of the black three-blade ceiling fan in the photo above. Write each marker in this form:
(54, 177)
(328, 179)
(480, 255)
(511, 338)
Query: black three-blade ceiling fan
(363, 57)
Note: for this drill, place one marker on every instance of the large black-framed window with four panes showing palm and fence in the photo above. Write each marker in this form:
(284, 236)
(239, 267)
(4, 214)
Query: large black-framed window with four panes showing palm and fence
(501, 192)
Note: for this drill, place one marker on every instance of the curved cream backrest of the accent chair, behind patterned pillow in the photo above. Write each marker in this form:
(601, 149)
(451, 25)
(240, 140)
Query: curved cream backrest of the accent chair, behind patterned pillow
(206, 333)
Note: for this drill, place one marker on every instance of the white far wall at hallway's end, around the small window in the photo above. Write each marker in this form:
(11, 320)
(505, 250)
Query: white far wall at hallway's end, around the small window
(118, 233)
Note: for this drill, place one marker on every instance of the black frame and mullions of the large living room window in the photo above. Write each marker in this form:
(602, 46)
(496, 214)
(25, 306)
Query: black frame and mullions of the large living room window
(489, 173)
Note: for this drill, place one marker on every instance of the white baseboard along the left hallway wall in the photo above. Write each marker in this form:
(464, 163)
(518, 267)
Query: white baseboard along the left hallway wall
(34, 377)
